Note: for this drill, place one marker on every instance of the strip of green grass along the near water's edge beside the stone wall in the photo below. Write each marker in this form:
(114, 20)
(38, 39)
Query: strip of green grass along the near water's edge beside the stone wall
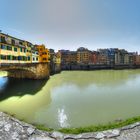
(93, 128)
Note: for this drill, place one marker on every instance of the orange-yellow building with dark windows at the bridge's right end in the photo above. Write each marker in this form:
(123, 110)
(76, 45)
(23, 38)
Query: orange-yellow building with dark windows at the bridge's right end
(44, 54)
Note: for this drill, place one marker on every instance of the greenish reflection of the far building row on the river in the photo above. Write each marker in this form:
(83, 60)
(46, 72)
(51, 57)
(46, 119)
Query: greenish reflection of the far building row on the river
(99, 78)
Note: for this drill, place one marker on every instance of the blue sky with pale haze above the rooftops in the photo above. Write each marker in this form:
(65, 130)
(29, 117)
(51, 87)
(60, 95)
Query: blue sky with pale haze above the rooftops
(69, 24)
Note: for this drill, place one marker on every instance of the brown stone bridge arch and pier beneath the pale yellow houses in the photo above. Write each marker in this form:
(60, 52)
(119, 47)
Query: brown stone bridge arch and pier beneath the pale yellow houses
(28, 70)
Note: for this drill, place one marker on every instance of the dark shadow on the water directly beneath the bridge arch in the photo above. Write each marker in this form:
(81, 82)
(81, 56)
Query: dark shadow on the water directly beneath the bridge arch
(10, 87)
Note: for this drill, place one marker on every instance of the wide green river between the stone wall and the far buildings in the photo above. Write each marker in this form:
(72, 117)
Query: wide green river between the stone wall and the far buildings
(73, 98)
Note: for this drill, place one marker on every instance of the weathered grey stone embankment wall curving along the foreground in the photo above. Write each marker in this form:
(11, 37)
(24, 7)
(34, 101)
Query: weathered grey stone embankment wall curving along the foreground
(13, 129)
